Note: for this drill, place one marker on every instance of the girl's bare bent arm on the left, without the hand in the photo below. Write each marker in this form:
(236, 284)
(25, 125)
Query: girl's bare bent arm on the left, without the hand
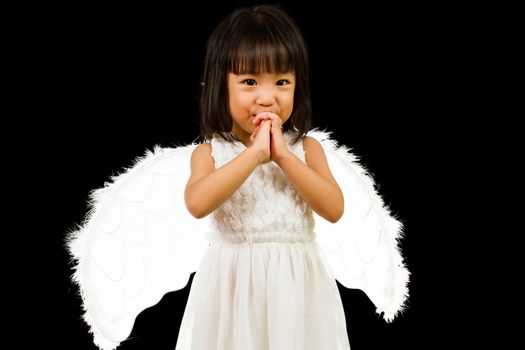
(208, 188)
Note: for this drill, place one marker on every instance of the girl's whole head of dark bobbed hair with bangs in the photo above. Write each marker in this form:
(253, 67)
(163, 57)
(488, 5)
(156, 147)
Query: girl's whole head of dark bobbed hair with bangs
(253, 40)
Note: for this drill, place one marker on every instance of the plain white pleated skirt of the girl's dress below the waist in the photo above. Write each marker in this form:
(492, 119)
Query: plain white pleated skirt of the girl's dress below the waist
(263, 296)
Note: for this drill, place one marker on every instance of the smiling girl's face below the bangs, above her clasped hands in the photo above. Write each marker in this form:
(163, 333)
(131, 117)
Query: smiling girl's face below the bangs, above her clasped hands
(251, 94)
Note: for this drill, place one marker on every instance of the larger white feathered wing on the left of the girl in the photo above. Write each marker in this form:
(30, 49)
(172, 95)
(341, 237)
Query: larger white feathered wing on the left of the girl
(137, 243)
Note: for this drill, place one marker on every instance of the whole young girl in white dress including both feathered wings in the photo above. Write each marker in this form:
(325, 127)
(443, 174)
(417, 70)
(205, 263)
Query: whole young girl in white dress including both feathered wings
(277, 192)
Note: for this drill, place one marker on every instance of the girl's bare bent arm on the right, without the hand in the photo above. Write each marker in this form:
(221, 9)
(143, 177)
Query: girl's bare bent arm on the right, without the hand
(313, 181)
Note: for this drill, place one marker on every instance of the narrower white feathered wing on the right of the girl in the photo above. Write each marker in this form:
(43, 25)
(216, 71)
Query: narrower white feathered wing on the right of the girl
(362, 248)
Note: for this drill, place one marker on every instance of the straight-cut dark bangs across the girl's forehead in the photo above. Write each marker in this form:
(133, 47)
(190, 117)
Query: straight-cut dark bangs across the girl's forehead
(257, 53)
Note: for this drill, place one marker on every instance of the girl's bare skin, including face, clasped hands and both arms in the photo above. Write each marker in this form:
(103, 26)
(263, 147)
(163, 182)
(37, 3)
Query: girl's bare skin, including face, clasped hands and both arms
(259, 106)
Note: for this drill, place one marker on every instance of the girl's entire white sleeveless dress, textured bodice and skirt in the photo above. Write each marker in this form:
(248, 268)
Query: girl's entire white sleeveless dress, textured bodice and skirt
(263, 283)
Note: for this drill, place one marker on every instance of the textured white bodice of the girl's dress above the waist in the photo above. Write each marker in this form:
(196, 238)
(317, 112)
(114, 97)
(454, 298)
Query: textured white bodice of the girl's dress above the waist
(266, 207)
